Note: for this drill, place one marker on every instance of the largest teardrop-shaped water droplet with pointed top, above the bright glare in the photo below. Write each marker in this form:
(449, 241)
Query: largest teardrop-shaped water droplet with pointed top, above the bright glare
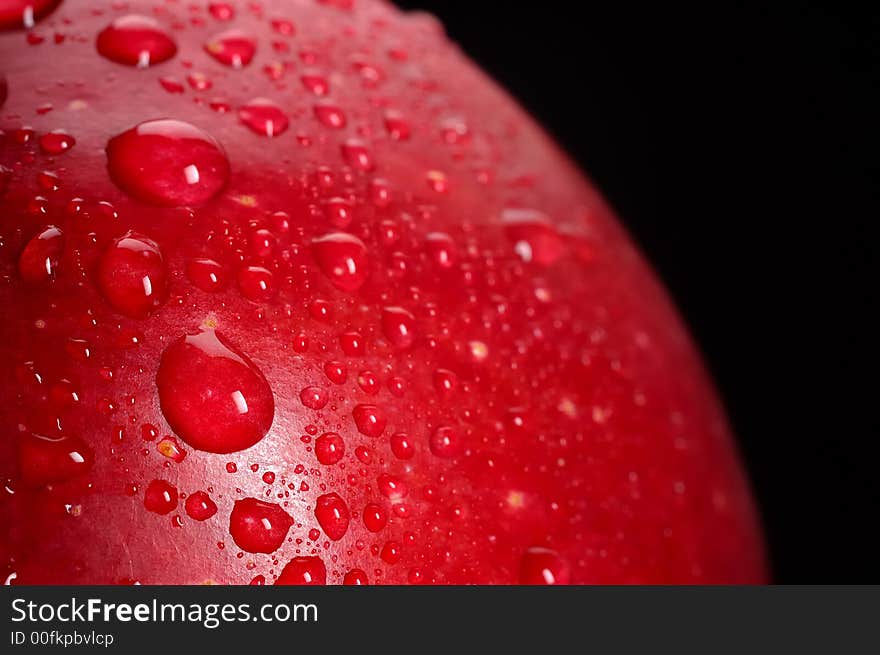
(212, 395)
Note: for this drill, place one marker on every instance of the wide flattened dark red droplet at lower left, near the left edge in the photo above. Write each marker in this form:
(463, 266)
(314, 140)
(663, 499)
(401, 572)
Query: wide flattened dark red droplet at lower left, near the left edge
(43, 460)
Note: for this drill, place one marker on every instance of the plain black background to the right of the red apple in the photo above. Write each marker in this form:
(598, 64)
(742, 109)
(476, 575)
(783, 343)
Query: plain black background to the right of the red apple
(737, 146)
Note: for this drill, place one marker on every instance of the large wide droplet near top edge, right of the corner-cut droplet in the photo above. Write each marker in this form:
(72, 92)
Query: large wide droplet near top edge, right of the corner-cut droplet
(136, 40)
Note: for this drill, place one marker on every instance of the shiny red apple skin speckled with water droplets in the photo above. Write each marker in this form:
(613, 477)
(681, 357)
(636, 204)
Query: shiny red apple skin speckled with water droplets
(520, 404)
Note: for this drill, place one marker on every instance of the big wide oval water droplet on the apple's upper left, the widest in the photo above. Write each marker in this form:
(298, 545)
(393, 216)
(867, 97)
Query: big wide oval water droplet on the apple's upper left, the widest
(167, 162)
